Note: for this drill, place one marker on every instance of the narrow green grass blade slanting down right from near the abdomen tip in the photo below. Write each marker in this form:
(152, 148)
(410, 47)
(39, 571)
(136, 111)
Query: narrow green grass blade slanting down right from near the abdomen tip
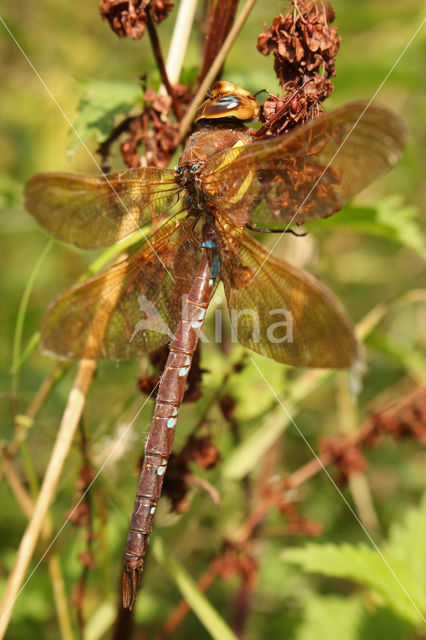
(206, 613)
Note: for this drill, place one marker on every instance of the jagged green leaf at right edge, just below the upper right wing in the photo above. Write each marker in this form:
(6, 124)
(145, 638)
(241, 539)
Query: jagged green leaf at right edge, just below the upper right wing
(388, 218)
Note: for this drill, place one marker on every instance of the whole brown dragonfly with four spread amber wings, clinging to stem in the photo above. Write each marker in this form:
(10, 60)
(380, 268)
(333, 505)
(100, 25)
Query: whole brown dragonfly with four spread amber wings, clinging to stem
(227, 183)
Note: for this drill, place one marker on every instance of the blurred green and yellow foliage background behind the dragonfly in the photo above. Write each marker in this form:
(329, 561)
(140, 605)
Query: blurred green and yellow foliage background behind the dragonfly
(371, 253)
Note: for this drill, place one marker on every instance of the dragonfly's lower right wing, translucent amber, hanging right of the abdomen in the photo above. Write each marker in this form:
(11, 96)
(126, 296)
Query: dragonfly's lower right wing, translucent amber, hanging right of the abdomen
(278, 310)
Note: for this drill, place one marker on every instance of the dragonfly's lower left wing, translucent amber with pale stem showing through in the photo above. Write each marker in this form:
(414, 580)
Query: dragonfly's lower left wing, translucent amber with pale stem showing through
(130, 309)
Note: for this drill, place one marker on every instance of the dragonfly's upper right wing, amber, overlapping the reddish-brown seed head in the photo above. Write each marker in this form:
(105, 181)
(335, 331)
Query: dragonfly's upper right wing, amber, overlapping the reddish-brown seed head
(308, 173)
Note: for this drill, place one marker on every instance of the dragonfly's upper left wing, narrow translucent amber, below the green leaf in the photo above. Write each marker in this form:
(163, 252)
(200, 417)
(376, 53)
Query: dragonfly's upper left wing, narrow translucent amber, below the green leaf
(96, 211)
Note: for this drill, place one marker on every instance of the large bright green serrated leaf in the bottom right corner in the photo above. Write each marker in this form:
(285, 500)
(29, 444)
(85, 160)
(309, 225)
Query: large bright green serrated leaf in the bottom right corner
(396, 574)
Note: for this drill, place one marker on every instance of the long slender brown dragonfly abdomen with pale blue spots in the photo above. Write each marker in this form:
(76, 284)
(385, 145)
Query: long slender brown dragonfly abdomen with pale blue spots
(170, 394)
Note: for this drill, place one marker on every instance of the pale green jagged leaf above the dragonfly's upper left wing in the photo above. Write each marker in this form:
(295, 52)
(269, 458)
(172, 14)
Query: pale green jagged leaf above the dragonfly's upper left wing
(102, 101)
